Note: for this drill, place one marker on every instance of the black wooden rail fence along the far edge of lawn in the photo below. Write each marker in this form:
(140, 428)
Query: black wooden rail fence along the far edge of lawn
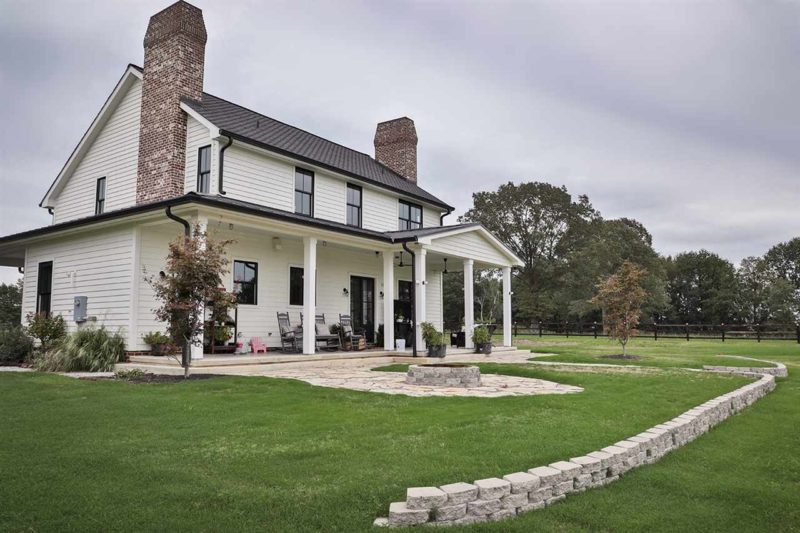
(758, 332)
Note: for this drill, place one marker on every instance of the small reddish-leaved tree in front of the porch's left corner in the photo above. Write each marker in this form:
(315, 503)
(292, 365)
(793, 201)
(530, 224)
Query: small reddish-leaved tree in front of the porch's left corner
(192, 278)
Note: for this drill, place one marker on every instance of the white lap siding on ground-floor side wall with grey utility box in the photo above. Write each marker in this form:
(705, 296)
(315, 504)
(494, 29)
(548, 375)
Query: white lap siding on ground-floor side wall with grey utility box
(97, 266)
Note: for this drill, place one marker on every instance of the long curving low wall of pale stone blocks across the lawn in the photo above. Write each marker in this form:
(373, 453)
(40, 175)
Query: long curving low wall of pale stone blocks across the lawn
(495, 499)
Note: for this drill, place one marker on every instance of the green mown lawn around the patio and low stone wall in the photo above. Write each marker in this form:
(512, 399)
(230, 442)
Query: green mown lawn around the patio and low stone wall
(280, 455)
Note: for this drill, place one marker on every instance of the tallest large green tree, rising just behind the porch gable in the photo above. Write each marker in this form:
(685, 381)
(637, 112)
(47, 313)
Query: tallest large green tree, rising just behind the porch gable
(542, 224)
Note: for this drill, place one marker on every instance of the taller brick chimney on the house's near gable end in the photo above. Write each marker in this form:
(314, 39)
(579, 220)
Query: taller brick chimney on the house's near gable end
(174, 55)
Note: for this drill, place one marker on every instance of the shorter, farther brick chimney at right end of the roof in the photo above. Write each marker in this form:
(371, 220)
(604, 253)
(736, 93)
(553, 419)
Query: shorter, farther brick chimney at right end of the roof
(396, 146)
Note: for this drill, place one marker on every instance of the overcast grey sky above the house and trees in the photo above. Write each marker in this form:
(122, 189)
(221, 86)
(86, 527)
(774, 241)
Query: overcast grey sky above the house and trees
(682, 115)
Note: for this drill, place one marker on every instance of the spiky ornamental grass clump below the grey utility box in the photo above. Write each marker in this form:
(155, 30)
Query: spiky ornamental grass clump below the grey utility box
(86, 350)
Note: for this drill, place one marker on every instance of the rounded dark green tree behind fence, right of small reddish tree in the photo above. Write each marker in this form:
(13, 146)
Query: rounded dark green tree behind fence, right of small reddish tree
(702, 288)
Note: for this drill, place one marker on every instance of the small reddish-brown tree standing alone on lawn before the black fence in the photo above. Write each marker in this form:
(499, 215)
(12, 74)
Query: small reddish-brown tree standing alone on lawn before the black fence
(621, 296)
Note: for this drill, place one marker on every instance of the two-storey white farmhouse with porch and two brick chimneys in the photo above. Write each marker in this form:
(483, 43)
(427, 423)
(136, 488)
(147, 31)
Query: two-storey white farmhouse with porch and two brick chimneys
(318, 227)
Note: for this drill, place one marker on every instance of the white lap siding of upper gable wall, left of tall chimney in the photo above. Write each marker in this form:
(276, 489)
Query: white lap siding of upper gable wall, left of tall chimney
(113, 155)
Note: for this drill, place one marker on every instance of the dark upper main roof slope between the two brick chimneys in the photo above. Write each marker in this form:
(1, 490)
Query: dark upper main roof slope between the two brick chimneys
(254, 128)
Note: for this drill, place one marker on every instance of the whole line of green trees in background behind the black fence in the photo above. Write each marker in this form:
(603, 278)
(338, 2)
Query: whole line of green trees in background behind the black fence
(568, 248)
